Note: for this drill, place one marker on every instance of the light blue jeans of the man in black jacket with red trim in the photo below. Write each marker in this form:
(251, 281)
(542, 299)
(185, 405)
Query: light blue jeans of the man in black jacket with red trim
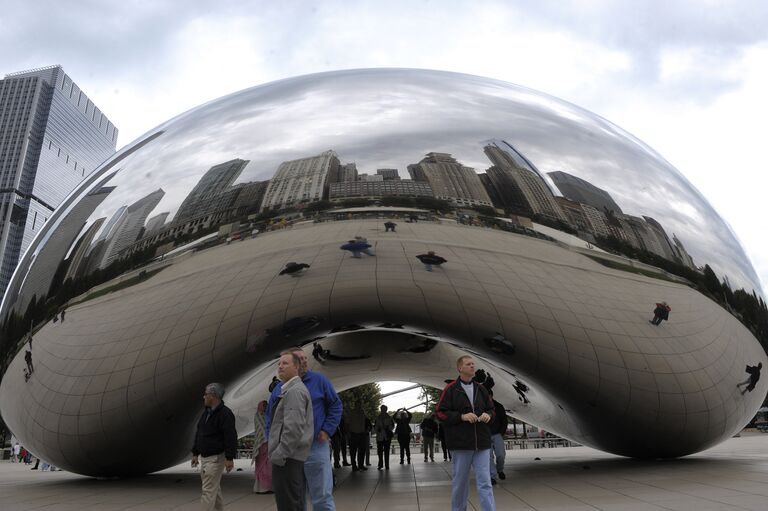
(462, 461)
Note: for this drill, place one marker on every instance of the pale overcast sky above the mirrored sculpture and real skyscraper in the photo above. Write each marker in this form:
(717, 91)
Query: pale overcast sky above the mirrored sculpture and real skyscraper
(686, 77)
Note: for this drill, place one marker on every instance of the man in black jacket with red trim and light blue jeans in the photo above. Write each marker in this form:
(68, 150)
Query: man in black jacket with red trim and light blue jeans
(466, 409)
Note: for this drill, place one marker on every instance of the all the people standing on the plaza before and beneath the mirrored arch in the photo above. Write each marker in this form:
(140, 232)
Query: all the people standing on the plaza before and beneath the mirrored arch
(303, 431)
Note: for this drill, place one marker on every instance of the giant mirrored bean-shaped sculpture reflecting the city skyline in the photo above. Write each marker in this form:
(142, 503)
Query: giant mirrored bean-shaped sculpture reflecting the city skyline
(265, 219)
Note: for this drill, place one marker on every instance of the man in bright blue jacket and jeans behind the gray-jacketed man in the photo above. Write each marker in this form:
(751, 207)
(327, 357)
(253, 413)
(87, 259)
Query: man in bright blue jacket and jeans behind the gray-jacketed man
(327, 409)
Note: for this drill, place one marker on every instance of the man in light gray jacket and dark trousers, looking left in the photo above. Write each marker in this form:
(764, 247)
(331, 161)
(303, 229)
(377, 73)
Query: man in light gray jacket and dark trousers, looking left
(290, 435)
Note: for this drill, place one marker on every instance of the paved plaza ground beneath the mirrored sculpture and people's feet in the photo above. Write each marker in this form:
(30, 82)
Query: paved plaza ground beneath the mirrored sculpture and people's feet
(731, 476)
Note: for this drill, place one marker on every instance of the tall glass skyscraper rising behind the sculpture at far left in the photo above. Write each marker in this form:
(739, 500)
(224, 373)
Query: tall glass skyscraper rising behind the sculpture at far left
(51, 137)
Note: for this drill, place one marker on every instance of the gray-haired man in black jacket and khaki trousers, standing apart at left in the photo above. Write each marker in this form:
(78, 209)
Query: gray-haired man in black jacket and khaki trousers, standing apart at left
(216, 444)
